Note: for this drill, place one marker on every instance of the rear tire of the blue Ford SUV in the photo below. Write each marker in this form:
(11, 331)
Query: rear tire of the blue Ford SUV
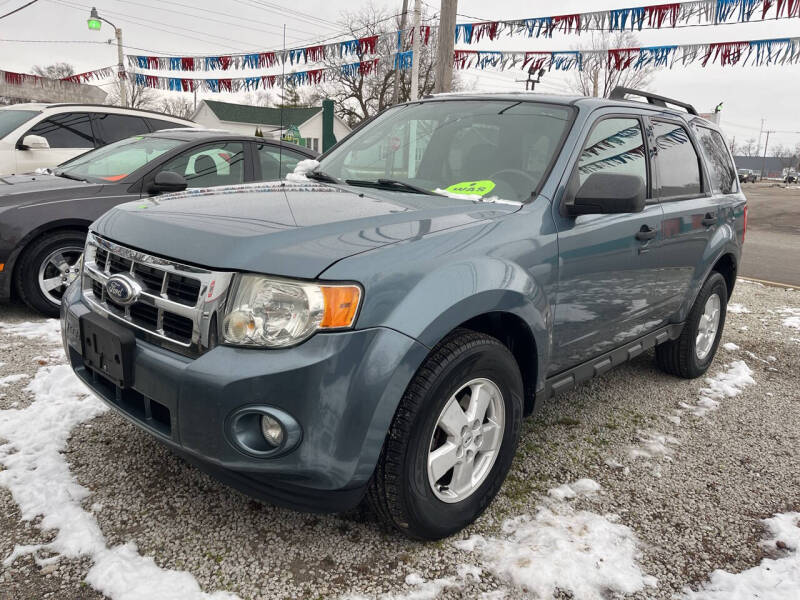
(684, 356)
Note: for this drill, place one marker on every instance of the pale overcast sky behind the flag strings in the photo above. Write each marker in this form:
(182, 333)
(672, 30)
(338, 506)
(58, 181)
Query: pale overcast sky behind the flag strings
(214, 26)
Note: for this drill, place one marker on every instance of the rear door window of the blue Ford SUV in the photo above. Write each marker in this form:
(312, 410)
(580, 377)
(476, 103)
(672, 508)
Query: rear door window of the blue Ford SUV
(678, 165)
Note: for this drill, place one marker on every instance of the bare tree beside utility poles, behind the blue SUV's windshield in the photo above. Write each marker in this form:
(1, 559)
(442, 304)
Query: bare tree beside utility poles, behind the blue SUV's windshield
(358, 96)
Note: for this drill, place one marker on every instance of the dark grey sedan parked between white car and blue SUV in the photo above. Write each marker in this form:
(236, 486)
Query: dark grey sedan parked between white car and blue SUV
(44, 217)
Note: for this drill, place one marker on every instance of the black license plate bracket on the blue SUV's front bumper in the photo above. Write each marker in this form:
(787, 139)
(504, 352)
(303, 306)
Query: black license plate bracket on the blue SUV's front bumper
(108, 348)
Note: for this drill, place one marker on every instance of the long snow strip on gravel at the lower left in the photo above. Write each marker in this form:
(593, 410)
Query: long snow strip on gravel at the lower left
(32, 441)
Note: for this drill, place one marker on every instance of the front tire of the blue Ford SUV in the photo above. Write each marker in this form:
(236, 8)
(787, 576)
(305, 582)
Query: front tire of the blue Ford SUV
(401, 492)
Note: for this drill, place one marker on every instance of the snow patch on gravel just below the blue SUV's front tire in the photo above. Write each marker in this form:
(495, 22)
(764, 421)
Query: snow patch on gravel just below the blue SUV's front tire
(583, 553)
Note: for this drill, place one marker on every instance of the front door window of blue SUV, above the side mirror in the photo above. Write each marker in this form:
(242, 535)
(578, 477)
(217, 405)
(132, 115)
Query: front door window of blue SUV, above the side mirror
(615, 145)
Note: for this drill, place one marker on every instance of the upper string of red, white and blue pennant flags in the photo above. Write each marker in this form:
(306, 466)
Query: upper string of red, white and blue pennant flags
(657, 16)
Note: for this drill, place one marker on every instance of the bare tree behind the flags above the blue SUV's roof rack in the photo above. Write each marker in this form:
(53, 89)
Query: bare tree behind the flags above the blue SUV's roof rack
(598, 78)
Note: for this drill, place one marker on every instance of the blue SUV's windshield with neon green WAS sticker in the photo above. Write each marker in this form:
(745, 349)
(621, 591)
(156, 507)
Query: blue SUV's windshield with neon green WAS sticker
(488, 148)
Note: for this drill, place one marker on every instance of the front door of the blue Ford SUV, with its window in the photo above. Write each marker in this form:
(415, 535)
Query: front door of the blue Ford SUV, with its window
(609, 286)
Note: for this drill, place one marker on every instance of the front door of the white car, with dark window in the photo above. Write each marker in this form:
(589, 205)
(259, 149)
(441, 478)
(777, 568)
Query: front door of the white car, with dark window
(68, 135)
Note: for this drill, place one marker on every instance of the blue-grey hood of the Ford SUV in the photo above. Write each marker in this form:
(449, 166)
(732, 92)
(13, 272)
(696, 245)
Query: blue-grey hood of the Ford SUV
(283, 228)
